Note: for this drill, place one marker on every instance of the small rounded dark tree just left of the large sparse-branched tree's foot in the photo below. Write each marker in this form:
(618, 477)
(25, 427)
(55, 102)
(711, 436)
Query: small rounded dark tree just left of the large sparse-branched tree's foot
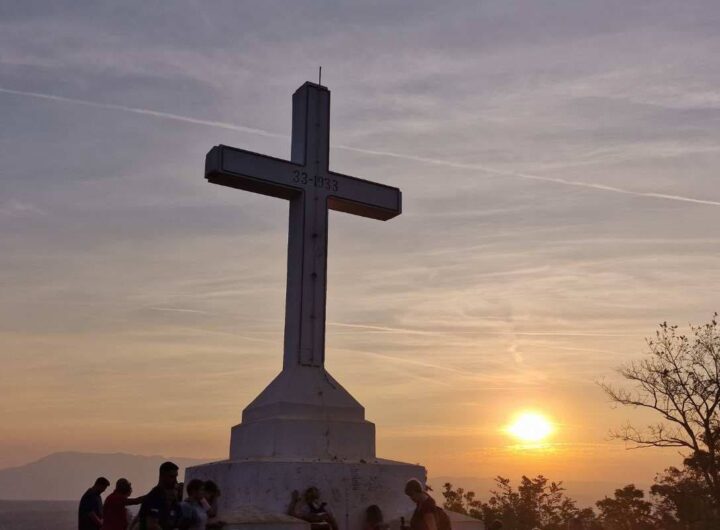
(627, 510)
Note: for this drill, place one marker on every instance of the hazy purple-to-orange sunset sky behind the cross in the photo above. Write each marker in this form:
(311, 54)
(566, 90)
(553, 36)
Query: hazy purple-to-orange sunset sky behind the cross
(558, 167)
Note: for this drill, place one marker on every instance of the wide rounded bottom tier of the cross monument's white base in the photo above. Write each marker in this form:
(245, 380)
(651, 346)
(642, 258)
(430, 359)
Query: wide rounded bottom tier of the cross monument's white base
(349, 487)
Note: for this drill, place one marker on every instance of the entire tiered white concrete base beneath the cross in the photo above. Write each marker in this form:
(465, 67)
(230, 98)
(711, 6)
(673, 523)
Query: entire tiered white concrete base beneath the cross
(306, 430)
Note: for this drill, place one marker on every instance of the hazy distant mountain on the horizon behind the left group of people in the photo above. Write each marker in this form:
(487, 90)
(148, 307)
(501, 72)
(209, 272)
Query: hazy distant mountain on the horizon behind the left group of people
(66, 476)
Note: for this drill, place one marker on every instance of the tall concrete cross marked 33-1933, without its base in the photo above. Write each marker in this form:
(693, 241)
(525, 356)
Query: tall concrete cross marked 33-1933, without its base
(307, 182)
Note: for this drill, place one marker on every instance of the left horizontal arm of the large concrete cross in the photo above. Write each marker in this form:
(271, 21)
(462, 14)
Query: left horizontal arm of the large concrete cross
(250, 171)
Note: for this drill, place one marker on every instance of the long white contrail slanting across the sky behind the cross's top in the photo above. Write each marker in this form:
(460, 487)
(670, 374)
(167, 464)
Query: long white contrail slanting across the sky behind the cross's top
(373, 152)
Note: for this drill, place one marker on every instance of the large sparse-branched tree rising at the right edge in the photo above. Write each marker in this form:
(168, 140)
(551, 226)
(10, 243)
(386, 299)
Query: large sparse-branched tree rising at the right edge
(678, 380)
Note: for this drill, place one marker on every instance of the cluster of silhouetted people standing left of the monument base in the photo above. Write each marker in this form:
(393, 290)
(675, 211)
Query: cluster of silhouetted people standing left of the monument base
(163, 508)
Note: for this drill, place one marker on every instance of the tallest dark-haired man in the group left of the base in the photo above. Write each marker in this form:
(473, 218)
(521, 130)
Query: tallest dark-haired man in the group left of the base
(160, 509)
